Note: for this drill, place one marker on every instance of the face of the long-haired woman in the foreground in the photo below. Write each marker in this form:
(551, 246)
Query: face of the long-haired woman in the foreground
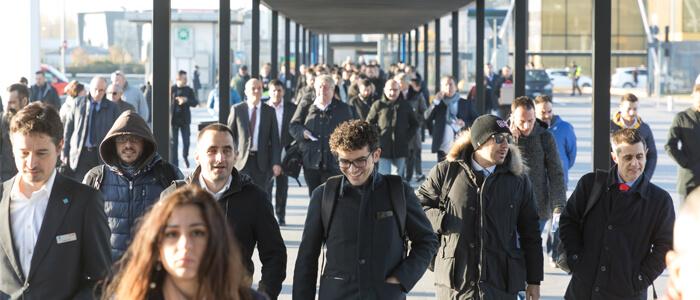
(184, 242)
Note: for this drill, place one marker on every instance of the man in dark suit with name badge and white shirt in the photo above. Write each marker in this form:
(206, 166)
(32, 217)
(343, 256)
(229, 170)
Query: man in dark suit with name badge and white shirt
(54, 237)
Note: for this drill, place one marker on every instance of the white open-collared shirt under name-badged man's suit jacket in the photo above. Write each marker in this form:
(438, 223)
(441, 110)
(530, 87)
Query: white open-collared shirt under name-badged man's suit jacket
(26, 216)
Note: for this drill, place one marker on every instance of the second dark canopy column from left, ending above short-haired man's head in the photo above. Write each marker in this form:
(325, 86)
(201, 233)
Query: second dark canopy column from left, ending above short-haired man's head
(224, 59)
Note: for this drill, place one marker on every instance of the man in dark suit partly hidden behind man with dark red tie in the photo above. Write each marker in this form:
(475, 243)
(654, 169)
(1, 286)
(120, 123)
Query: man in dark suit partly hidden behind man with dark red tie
(284, 110)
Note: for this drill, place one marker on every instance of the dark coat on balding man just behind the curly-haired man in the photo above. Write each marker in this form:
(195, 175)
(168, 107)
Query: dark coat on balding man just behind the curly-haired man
(397, 125)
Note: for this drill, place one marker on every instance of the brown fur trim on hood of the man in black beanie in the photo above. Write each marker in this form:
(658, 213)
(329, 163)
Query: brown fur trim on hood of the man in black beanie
(462, 149)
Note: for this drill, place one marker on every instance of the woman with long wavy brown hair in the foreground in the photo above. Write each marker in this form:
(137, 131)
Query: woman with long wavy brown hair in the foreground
(183, 250)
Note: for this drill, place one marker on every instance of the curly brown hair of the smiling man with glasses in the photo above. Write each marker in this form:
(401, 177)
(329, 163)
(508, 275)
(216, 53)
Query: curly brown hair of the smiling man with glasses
(354, 135)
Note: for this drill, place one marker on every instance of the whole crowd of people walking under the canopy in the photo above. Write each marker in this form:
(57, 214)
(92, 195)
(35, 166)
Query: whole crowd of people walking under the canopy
(90, 210)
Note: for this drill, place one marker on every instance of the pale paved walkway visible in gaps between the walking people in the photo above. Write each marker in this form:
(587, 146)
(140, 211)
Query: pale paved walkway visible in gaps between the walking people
(576, 110)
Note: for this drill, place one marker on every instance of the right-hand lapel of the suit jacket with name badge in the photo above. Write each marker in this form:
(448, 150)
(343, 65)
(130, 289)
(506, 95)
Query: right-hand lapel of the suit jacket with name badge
(55, 212)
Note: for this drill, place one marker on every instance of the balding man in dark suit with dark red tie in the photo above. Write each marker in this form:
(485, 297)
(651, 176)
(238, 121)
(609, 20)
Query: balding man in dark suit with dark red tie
(255, 131)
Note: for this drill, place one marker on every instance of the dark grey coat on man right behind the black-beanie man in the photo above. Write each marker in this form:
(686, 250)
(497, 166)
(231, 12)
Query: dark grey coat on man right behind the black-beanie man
(541, 155)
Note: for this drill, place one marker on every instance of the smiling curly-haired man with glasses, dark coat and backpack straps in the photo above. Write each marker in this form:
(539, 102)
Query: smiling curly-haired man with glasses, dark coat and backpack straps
(366, 255)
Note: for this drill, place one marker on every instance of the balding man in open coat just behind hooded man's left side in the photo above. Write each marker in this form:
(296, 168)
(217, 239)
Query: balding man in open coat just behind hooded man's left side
(85, 128)
